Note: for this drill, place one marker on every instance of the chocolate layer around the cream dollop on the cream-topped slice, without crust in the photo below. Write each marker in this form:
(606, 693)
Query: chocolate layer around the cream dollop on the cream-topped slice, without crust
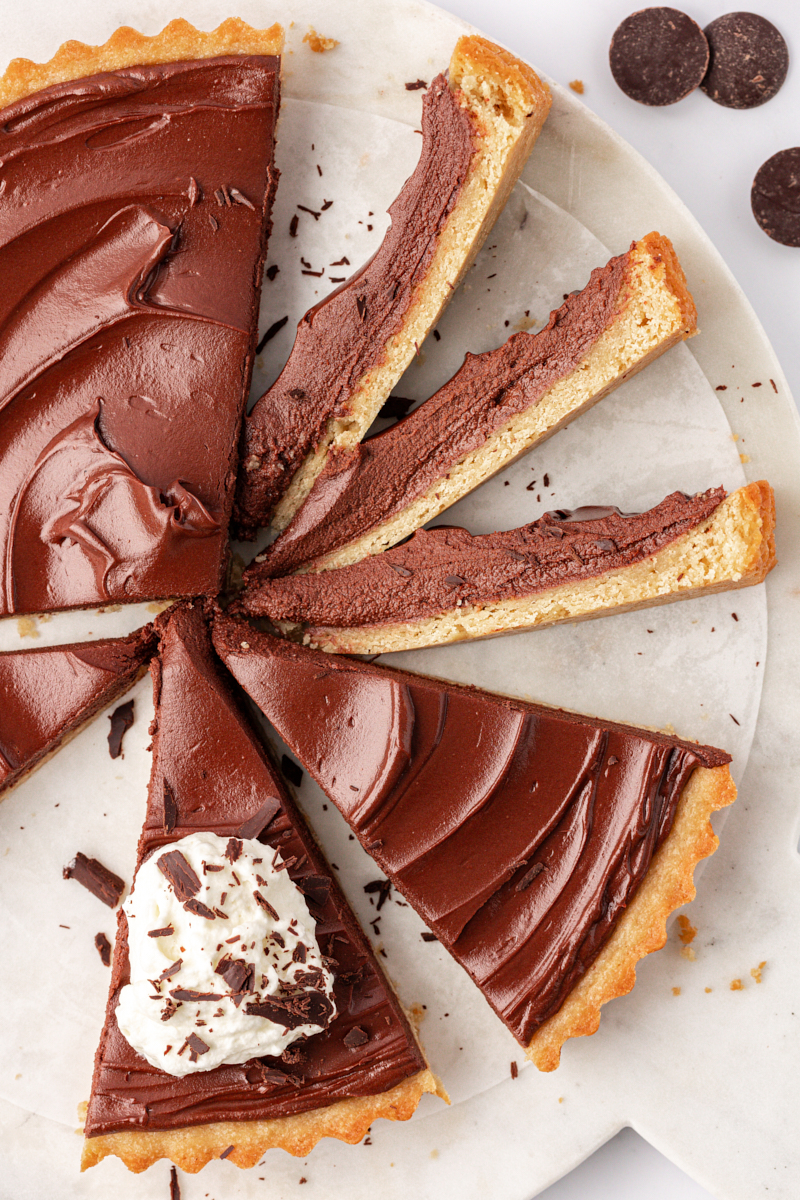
(212, 773)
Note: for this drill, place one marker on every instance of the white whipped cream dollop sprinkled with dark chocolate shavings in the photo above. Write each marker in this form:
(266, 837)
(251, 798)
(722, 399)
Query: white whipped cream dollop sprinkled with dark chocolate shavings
(225, 961)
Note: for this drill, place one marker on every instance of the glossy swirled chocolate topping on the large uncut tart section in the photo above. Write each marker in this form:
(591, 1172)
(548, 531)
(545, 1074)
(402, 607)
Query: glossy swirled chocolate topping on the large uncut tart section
(134, 227)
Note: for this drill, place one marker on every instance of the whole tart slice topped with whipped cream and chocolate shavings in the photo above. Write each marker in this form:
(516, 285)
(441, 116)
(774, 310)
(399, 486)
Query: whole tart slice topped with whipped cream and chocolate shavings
(213, 779)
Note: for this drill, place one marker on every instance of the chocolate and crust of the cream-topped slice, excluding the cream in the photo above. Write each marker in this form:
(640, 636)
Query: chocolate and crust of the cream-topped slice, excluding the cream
(212, 772)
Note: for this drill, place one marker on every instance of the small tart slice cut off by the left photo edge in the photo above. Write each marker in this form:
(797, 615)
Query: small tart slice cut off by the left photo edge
(50, 695)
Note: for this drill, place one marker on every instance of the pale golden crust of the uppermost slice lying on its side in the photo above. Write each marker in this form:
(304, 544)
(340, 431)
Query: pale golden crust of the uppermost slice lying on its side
(509, 105)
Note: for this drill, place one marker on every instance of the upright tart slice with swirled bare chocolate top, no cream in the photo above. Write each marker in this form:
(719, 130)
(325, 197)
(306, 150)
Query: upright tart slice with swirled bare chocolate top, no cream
(545, 850)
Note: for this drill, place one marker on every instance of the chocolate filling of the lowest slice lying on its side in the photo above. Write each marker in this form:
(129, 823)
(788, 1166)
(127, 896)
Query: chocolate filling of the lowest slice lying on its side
(440, 569)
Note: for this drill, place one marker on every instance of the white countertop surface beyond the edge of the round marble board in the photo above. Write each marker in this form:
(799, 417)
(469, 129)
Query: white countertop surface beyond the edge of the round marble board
(709, 155)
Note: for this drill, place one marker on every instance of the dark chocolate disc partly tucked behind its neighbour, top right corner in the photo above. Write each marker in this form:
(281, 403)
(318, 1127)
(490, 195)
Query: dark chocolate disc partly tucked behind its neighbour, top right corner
(749, 61)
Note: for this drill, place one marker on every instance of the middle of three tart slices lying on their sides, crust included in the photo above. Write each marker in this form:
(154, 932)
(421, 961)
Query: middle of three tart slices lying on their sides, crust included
(496, 409)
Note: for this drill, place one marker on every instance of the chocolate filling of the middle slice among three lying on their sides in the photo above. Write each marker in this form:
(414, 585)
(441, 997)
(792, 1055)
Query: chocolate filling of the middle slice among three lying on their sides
(363, 488)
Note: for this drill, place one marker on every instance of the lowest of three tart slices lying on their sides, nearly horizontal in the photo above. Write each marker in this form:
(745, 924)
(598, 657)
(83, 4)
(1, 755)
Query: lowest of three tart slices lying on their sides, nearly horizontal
(446, 585)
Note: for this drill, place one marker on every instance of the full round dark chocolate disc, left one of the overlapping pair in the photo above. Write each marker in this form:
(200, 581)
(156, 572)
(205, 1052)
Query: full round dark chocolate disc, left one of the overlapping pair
(659, 56)
